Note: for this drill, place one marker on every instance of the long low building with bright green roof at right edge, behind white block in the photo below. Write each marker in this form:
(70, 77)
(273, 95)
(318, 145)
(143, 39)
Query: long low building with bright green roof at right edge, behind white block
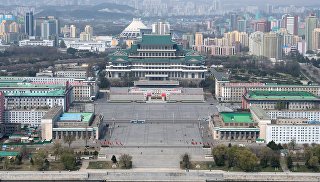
(292, 100)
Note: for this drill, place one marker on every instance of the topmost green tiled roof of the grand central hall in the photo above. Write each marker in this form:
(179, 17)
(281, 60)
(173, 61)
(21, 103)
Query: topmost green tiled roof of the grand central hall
(156, 40)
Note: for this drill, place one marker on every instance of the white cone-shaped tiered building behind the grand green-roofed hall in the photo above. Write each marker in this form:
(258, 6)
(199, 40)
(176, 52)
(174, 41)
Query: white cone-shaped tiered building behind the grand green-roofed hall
(133, 30)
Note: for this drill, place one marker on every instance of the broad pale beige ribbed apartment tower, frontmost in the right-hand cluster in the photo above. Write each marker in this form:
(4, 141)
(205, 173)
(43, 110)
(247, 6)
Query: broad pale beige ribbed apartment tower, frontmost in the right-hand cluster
(272, 45)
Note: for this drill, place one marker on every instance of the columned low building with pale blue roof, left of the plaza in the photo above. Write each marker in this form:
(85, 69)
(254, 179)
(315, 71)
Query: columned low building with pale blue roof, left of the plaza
(82, 126)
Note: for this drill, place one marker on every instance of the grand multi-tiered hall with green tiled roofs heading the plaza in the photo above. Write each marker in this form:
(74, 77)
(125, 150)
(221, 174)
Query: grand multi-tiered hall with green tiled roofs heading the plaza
(157, 57)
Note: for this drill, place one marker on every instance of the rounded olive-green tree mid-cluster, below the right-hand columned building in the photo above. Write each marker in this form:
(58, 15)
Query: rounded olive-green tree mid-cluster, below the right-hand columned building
(247, 160)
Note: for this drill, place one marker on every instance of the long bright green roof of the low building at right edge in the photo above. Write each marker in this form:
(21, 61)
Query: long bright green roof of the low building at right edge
(281, 95)
